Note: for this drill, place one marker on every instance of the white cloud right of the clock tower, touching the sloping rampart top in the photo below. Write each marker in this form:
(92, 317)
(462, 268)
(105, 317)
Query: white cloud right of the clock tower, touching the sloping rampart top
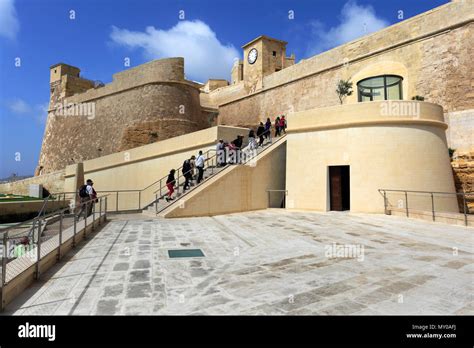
(355, 21)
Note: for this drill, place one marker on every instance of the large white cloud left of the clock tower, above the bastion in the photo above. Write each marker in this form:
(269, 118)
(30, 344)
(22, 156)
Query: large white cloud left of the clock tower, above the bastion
(204, 55)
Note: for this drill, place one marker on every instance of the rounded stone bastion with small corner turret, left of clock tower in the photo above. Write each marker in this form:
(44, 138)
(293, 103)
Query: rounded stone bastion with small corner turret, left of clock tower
(141, 105)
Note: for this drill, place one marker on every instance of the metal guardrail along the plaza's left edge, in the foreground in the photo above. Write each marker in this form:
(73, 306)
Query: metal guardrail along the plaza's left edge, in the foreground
(34, 246)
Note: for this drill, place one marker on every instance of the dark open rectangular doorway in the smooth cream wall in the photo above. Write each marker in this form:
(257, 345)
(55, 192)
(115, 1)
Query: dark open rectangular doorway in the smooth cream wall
(339, 188)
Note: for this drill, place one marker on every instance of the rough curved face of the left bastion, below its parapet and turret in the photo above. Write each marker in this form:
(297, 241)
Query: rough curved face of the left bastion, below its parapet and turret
(122, 120)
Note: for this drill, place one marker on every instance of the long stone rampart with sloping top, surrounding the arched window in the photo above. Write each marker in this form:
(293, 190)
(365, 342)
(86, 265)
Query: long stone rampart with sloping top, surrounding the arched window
(433, 52)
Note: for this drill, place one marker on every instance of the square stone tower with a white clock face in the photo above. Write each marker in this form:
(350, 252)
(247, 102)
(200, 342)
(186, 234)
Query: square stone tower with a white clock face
(263, 56)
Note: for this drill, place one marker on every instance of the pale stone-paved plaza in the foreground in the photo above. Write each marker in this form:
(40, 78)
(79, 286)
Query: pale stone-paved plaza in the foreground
(265, 262)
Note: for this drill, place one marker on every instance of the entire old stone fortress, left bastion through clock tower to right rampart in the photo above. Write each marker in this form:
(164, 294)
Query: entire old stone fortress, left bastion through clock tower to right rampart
(432, 52)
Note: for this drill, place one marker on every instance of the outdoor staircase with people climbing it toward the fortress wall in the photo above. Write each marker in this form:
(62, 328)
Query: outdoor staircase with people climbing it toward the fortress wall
(211, 170)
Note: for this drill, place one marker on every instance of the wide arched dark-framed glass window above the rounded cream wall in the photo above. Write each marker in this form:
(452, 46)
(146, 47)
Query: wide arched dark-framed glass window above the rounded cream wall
(386, 87)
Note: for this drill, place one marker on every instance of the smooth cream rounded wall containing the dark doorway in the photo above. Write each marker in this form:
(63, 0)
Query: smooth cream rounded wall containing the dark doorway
(383, 152)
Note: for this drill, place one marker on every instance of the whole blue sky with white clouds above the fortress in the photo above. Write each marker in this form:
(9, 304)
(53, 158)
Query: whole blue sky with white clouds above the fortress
(100, 36)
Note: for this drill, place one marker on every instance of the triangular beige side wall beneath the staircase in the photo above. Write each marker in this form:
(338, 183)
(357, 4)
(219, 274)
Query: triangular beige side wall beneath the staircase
(237, 188)
